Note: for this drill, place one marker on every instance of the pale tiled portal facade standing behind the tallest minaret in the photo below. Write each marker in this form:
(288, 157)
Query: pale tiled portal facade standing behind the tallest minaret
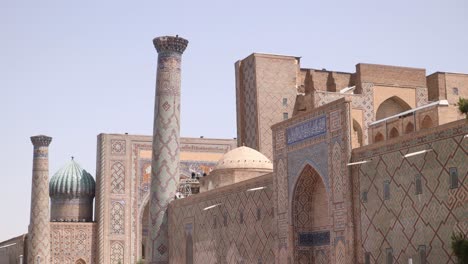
(123, 176)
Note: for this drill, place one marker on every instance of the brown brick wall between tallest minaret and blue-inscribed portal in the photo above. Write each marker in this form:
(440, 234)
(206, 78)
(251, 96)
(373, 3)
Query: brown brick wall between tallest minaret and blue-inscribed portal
(238, 230)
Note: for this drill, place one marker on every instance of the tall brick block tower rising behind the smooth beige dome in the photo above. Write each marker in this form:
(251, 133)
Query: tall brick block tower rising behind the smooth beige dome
(266, 93)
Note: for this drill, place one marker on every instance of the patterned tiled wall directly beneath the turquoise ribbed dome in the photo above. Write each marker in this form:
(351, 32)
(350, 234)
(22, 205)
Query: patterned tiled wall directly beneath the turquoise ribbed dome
(71, 242)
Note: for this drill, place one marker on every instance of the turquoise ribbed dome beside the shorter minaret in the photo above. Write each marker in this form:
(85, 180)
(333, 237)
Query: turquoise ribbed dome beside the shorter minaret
(72, 181)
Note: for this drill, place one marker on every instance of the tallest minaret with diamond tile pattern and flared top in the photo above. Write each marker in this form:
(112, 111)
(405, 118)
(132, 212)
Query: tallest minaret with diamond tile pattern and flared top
(166, 130)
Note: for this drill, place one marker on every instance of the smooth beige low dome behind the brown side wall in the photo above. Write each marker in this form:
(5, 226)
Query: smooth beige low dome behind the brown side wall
(244, 158)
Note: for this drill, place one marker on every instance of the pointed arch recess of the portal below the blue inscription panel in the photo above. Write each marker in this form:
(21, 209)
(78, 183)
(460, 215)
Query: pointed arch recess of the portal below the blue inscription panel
(311, 218)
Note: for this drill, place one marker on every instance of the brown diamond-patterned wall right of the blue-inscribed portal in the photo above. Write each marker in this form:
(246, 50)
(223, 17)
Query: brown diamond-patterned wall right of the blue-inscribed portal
(408, 219)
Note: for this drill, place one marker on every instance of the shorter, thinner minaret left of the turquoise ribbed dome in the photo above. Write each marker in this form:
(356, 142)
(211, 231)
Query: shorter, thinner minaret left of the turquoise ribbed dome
(39, 229)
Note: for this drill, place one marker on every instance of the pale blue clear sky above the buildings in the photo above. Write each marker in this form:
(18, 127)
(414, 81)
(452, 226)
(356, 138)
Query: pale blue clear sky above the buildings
(74, 69)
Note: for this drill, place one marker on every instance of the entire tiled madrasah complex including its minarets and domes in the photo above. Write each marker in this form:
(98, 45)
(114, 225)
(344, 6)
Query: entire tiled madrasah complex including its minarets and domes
(328, 167)
